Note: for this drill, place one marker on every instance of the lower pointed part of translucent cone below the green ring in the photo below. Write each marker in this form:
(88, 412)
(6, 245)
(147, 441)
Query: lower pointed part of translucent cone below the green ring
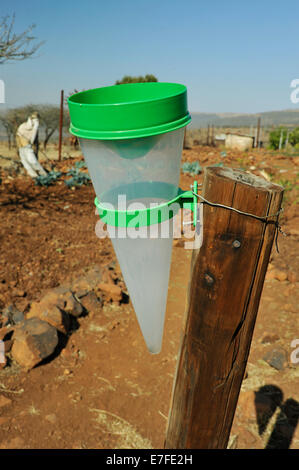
(145, 265)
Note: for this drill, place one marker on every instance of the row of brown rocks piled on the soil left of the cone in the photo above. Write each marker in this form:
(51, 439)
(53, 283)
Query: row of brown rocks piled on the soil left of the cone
(35, 335)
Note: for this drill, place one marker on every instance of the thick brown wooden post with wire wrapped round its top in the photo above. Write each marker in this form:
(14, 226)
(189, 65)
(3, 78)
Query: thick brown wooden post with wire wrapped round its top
(227, 275)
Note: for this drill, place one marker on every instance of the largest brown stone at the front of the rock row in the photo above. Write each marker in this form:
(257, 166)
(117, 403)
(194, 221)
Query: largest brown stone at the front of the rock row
(34, 340)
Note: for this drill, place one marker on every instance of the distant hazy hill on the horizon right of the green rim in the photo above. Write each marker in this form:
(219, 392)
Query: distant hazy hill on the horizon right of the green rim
(288, 118)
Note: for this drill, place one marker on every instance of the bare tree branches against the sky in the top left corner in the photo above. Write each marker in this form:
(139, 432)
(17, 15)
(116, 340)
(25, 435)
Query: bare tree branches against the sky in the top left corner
(16, 46)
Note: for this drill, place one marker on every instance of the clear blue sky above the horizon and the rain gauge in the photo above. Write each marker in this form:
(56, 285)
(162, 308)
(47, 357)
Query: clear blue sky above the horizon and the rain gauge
(233, 56)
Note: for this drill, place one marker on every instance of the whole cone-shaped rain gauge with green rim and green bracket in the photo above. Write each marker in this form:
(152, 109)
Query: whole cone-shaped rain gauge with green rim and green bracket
(132, 137)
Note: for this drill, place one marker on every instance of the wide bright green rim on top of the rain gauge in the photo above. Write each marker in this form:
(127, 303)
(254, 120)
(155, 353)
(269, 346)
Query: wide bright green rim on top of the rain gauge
(128, 111)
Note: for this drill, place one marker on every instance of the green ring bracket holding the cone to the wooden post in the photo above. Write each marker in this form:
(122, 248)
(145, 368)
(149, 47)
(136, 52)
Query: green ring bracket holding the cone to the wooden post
(150, 215)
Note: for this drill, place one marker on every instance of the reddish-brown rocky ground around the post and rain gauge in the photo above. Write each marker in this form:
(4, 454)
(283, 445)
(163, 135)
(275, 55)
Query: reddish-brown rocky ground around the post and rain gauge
(93, 384)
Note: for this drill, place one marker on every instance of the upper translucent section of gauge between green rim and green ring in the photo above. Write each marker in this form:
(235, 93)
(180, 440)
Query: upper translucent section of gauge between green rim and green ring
(116, 166)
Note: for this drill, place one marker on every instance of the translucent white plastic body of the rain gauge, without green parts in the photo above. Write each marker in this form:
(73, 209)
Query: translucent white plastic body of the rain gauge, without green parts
(144, 170)
